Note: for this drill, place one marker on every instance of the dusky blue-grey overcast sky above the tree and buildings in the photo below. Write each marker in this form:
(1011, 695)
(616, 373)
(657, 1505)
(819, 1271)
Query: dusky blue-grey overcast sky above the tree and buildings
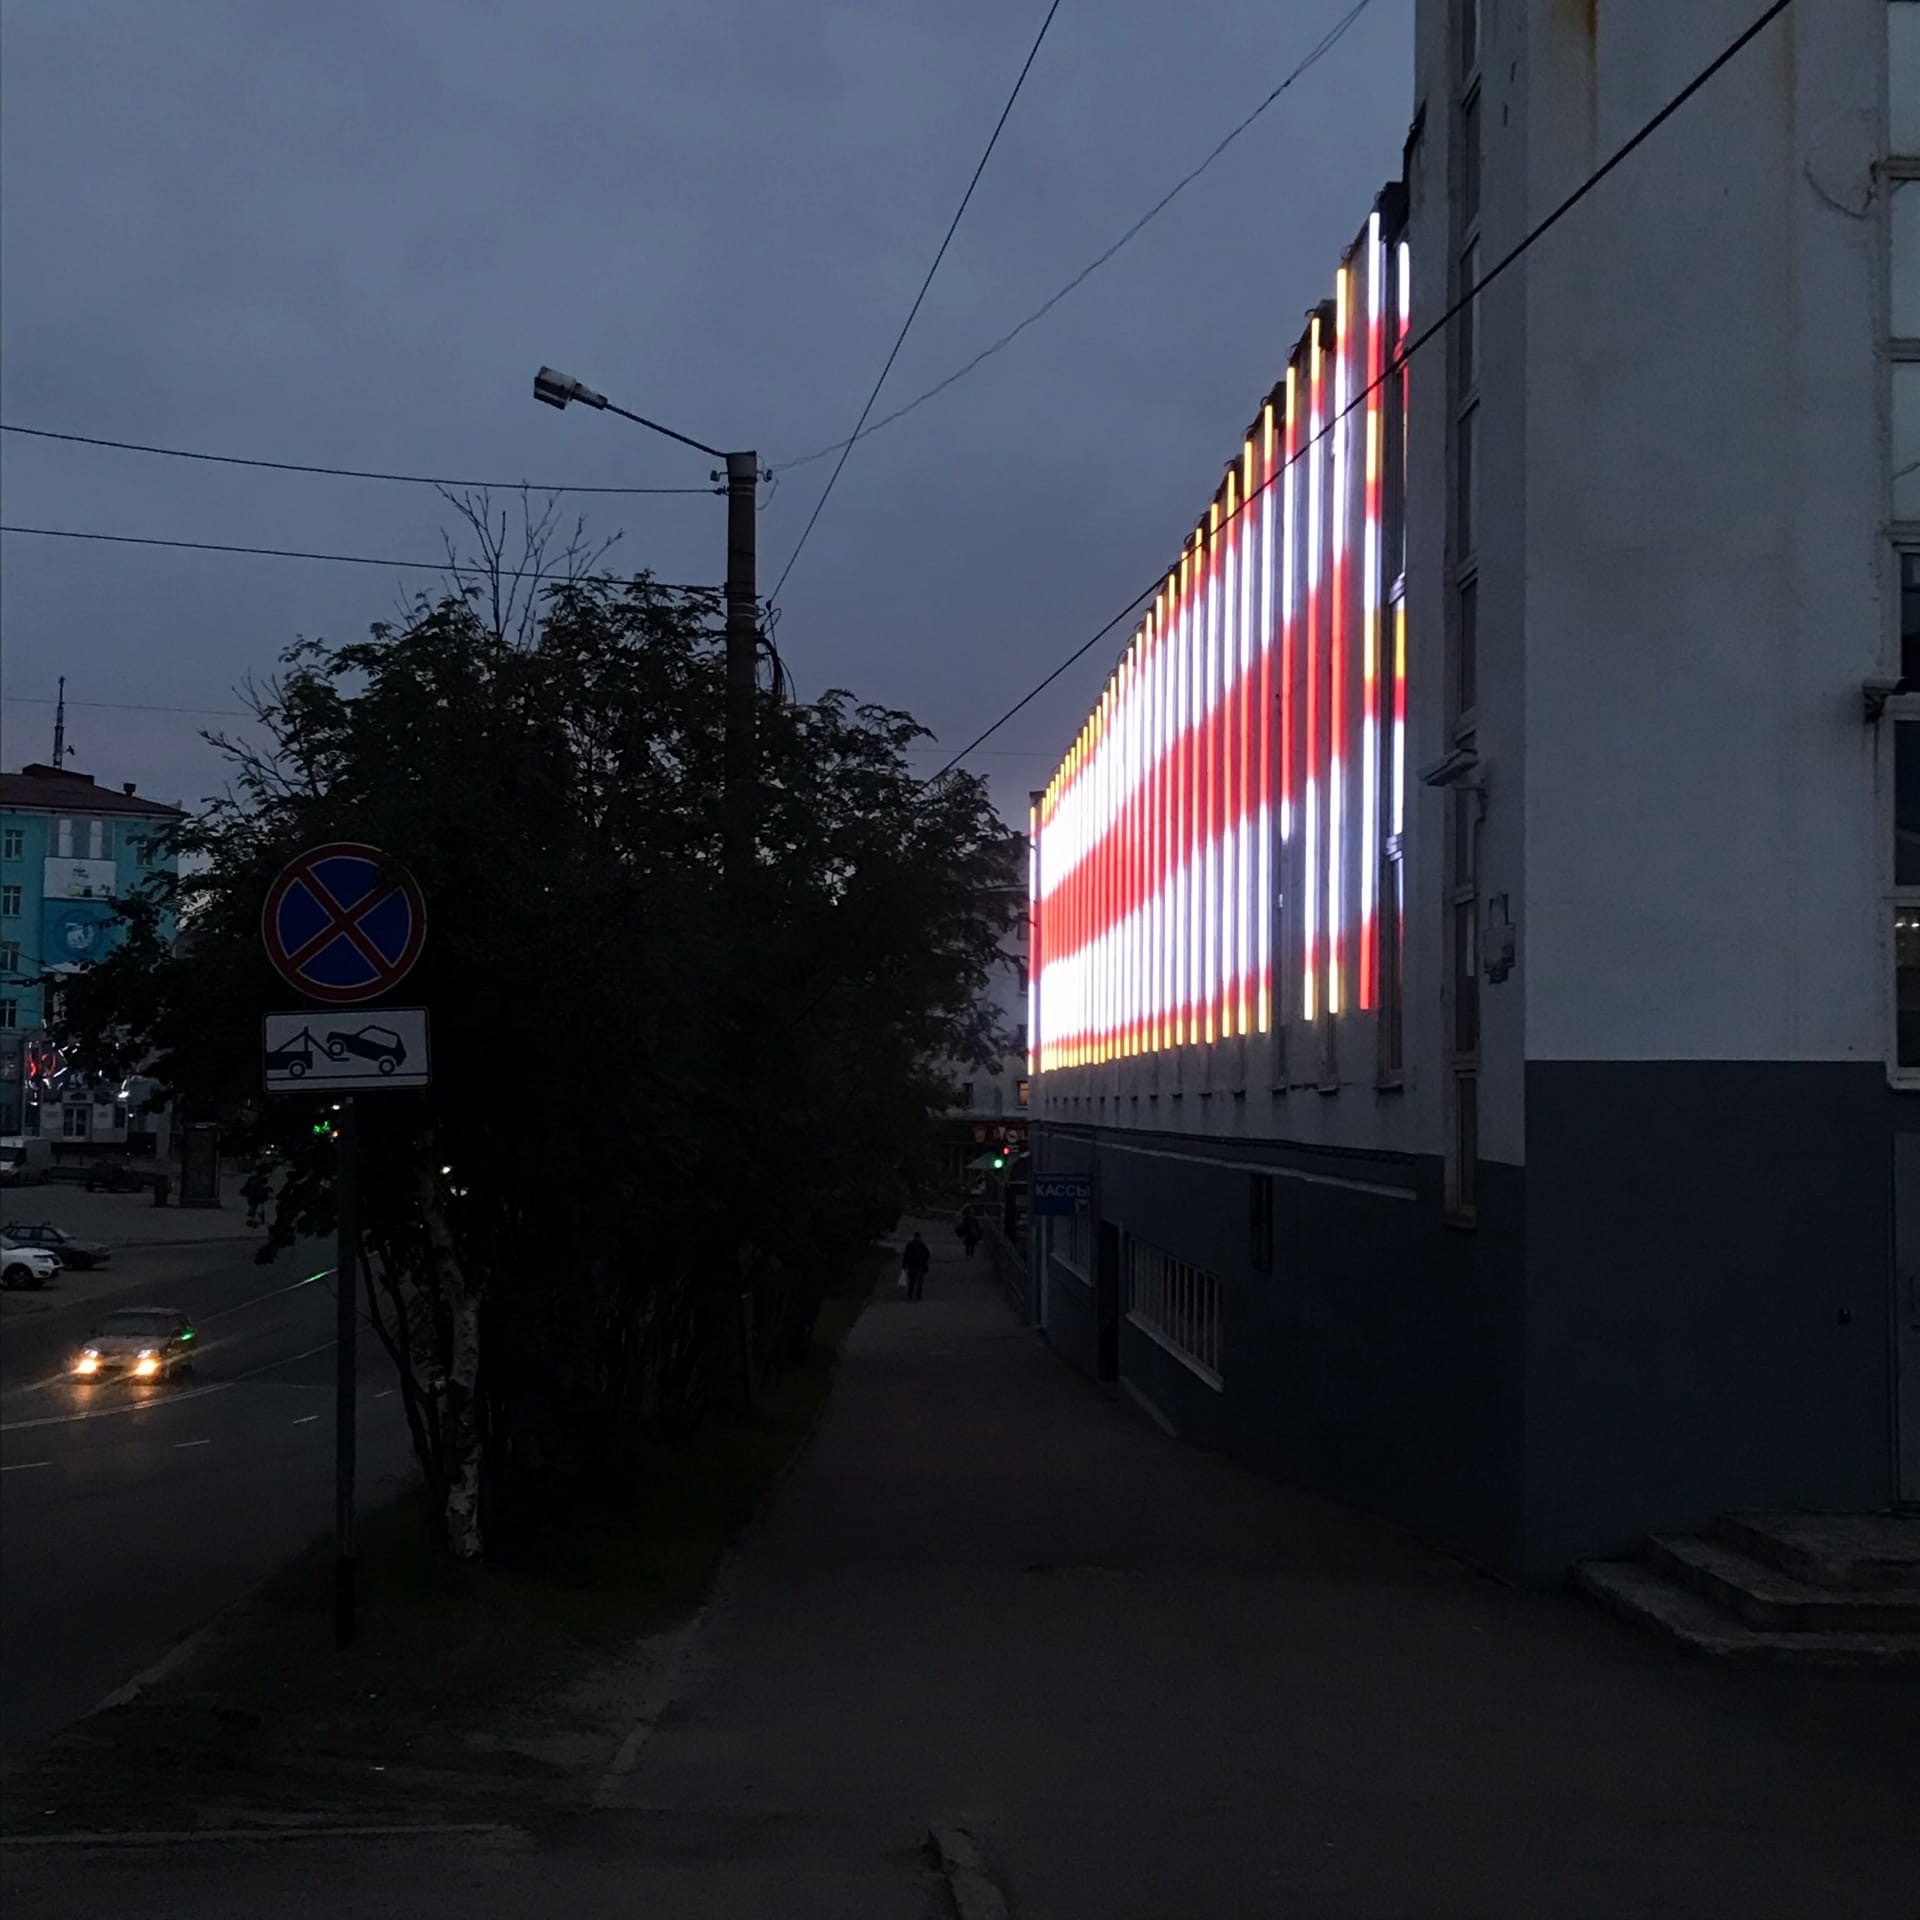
(348, 235)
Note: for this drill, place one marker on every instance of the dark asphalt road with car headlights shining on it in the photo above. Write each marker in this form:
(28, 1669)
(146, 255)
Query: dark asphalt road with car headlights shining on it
(132, 1514)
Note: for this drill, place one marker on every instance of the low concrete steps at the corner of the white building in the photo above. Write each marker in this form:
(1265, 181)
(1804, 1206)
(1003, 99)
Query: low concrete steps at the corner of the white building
(1808, 1589)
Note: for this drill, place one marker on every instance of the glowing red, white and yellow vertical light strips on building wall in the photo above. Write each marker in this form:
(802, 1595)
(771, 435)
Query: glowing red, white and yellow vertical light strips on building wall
(1209, 857)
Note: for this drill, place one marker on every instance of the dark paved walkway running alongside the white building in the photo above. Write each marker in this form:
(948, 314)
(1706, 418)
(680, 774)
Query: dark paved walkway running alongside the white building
(1155, 1687)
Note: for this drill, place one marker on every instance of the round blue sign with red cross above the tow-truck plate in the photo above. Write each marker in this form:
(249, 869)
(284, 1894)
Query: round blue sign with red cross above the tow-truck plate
(345, 924)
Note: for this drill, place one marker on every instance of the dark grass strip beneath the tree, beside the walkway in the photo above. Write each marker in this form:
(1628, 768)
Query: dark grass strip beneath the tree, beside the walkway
(439, 1637)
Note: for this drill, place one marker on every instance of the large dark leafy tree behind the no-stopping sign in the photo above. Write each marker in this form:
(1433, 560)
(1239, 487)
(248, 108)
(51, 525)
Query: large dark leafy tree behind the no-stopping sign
(635, 1122)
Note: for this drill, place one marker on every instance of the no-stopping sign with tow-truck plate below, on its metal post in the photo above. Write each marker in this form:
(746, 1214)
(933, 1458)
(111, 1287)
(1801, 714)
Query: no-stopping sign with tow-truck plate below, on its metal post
(343, 926)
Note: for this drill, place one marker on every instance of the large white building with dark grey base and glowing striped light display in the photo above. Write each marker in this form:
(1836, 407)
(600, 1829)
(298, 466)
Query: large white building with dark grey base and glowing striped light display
(1477, 938)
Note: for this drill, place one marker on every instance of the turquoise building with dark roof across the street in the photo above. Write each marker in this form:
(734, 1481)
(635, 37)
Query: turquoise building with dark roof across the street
(68, 852)
